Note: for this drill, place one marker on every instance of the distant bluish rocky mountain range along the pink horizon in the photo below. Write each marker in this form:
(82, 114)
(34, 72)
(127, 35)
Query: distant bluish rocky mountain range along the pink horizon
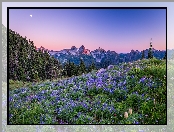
(100, 57)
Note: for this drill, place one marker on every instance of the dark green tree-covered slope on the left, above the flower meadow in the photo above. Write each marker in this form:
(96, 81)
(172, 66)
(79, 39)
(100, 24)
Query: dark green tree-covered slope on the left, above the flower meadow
(27, 63)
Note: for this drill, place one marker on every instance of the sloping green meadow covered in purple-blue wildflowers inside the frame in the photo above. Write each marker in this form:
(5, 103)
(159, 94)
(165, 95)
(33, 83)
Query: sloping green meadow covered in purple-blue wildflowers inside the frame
(128, 93)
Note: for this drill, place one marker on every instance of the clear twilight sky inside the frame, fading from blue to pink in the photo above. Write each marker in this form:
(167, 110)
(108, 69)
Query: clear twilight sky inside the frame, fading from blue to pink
(118, 30)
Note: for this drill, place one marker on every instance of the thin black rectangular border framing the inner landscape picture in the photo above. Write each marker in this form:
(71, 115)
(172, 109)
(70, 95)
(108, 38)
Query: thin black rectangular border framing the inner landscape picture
(8, 8)
